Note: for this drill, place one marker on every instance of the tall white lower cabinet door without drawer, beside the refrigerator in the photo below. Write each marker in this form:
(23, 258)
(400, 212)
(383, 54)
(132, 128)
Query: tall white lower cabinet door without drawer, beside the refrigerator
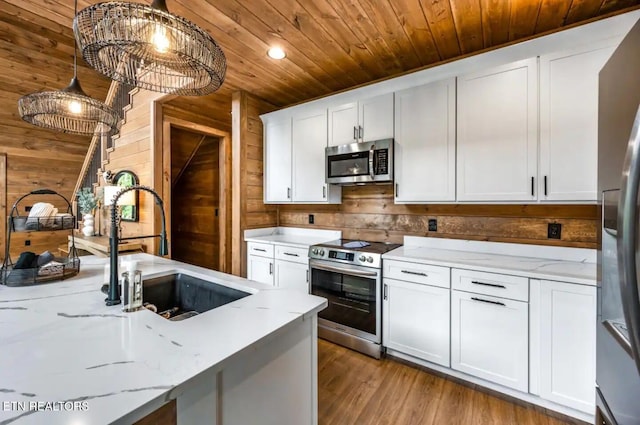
(565, 315)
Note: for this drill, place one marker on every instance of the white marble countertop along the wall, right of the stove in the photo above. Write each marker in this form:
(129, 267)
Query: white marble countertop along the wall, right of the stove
(573, 265)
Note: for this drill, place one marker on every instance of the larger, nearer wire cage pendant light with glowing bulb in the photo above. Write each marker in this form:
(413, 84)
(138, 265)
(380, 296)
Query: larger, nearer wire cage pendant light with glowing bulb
(148, 47)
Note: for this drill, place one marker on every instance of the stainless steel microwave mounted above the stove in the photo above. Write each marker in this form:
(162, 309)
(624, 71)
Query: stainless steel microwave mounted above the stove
(360, 163)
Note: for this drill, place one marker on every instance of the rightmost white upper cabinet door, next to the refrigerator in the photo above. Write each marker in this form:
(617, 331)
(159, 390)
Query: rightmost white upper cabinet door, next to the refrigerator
(569, 123)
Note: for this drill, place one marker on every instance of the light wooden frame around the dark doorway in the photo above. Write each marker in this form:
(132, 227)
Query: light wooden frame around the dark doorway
(163, 162)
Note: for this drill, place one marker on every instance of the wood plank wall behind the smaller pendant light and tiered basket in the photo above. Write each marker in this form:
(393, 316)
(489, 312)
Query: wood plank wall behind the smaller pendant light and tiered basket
(36, 54)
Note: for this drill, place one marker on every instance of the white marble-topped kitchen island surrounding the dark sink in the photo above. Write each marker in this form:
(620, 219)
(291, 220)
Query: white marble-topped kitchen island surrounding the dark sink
(69, 359)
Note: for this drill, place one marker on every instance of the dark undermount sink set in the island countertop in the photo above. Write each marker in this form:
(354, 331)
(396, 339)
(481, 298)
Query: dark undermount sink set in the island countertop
(179, 296)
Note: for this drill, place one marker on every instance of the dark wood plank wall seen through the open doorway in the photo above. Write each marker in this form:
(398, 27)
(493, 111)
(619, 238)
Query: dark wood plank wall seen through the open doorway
(195, 198)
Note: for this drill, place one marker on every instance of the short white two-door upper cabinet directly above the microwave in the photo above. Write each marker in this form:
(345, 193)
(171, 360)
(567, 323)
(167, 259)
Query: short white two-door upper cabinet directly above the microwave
(361, 121)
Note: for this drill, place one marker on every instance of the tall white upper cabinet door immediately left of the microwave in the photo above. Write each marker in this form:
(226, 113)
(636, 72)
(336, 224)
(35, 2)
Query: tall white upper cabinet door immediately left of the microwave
(309, 143)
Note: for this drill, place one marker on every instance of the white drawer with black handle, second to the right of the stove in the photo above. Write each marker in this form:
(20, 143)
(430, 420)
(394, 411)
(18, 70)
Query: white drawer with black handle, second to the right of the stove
(494, 284)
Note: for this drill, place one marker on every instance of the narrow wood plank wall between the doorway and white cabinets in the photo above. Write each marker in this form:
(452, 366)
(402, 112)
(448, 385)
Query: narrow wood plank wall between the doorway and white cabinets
(249, 212)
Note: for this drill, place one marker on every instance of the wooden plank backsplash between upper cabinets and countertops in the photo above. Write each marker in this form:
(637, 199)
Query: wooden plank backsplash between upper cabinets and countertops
(368, 212)
